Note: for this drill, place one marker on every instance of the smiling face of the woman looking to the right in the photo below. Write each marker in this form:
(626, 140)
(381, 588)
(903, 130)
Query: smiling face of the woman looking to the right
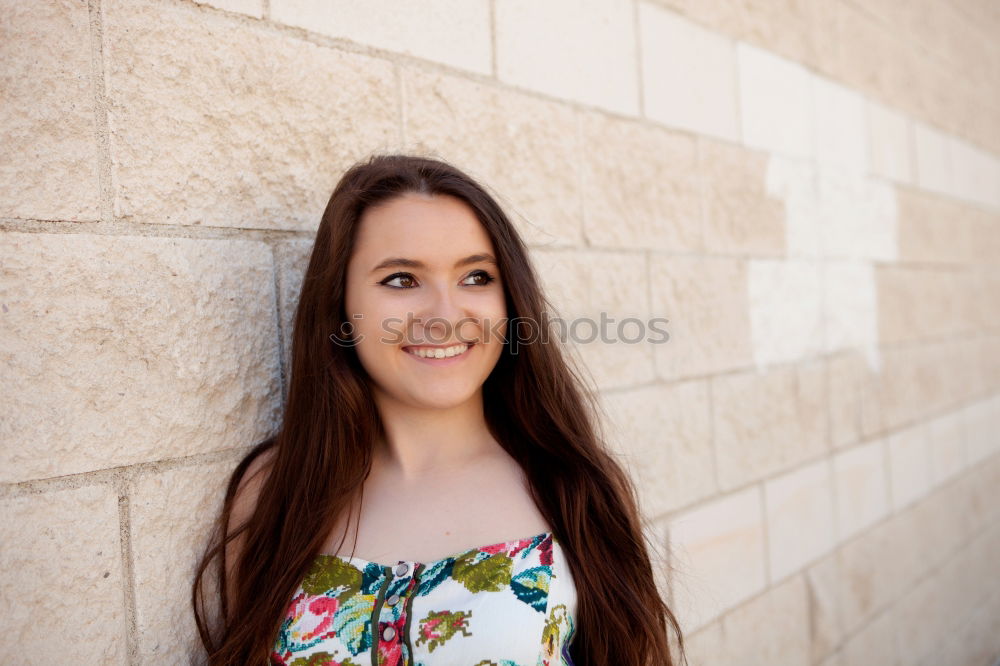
(423, 277)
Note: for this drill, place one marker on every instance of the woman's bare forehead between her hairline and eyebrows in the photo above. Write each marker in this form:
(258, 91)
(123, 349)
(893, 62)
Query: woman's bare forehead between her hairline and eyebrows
(434, 229)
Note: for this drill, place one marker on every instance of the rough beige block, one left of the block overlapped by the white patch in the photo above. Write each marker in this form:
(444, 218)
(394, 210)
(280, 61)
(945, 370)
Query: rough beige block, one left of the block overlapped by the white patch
(656, 207)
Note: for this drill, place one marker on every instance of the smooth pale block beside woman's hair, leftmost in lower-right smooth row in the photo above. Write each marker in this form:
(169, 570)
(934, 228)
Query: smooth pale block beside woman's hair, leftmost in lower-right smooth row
(719, 556)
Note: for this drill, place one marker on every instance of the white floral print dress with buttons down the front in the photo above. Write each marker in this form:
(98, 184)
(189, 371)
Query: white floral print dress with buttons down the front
(506, 604)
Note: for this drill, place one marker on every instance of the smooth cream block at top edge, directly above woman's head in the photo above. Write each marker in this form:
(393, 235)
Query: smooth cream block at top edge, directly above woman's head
(451, 32)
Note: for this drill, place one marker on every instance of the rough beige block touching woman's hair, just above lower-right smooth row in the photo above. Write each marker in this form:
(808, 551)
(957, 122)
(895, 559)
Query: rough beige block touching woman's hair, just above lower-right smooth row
(664, 433)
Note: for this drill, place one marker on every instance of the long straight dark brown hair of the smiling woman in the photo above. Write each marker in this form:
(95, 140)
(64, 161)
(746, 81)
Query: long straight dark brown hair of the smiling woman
(536, 406)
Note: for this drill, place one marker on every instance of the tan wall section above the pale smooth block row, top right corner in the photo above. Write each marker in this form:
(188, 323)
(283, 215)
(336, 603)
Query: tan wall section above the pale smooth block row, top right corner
(930, 59)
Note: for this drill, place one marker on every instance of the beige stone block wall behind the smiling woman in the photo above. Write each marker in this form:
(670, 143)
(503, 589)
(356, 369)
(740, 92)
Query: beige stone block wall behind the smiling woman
(808, 191)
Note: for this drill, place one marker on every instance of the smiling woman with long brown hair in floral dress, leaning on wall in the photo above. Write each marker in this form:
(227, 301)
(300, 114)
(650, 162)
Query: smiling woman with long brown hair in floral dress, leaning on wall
(416, 404)
